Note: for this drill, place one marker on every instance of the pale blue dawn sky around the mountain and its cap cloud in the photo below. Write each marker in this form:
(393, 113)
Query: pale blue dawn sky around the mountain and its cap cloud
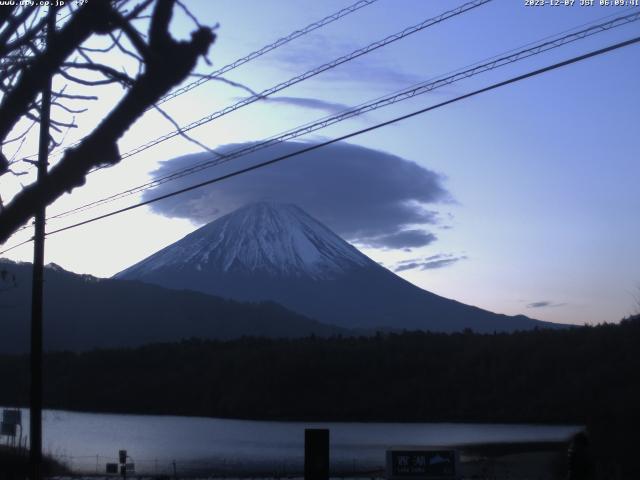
(542, 216)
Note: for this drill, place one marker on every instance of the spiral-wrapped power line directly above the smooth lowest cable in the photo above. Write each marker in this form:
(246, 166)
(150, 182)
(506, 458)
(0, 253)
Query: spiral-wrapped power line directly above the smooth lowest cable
(419, 89)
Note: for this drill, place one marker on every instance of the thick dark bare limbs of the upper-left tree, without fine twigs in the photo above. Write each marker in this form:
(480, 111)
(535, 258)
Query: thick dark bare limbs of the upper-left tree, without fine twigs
(167, 62)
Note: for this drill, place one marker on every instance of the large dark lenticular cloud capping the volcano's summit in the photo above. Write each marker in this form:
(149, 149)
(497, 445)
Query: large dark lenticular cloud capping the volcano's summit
(366, 196)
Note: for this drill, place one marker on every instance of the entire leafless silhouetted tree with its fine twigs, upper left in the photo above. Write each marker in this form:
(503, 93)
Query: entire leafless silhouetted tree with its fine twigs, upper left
(26, 63)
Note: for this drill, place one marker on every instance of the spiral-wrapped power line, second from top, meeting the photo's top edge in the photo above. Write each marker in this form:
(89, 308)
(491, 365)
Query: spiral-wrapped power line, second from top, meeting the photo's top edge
(311, 73)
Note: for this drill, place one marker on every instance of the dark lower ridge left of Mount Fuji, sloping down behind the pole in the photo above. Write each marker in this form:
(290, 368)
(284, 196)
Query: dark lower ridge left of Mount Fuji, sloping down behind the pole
(83, 312)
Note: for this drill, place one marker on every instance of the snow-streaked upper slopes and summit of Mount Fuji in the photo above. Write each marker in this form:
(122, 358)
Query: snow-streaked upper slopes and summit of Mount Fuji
(272, 238)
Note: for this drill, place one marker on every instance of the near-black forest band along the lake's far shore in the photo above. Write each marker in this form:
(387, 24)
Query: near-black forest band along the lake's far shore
(586, 375)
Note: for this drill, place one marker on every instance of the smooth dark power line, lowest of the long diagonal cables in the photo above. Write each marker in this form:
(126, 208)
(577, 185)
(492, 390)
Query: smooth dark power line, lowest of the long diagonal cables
(358, 132)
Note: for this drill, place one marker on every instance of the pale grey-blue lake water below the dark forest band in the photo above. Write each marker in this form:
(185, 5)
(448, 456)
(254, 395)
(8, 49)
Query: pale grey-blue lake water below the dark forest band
(86, 441)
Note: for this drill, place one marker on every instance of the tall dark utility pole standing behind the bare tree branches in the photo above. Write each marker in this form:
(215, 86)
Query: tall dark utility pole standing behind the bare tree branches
(35, 413)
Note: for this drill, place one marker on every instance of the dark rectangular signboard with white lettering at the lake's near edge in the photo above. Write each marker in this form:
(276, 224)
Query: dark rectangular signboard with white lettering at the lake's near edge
(422, 464)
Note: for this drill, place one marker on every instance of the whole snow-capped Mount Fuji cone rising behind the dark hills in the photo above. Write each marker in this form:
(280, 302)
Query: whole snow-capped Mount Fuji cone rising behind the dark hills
(277, 252)
